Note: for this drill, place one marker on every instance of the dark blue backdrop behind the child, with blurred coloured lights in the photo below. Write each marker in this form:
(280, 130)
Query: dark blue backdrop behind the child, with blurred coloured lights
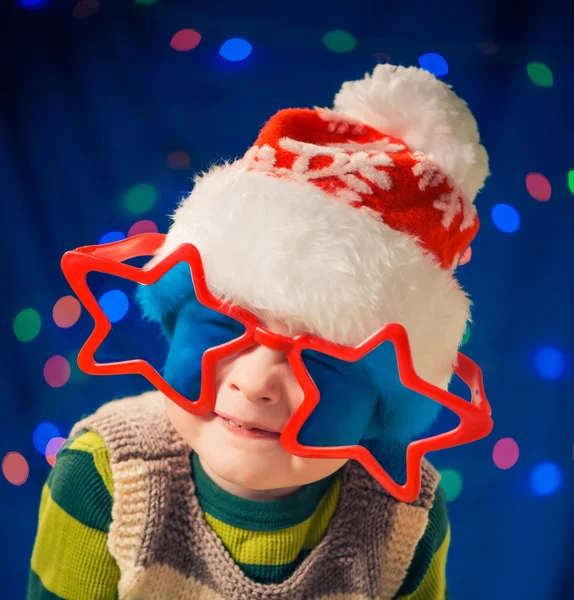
(93, 106)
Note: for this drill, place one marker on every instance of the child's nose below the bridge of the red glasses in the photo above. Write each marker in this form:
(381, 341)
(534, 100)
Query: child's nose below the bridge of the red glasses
(259, 374)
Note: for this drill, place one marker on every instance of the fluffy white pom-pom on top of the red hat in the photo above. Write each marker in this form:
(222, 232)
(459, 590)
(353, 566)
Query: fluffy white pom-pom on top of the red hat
(412, 104)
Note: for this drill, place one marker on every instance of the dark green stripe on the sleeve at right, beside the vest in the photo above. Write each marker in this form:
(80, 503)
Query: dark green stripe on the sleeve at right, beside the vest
(428, 545)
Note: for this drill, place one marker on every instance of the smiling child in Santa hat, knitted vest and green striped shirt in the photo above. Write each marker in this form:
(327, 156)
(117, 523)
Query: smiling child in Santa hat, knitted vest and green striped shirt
(335, 222)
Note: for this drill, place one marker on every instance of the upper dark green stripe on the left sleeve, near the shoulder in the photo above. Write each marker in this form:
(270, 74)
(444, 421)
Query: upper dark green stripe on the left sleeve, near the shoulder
(77, 487)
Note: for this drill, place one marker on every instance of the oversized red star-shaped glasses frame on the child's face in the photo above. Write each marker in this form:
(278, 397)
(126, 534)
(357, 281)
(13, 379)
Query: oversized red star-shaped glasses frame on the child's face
(475, 420)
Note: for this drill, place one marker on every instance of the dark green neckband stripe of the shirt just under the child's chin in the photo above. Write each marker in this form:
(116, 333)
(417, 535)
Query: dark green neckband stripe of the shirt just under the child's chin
(252, 514)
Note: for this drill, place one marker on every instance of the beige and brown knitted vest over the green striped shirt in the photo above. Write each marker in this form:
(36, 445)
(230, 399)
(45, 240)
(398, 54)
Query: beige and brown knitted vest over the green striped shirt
(165, 549)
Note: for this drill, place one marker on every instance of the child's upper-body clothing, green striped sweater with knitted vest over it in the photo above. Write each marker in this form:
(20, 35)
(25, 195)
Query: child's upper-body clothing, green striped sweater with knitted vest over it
(127, 512)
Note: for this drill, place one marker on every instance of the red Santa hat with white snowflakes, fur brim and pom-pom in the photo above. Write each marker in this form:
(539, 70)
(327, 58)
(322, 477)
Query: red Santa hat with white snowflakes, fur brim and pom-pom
(339, 221)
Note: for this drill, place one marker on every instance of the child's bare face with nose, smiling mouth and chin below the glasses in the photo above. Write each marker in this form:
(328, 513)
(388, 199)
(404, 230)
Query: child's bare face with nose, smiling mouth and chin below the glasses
(256, 386)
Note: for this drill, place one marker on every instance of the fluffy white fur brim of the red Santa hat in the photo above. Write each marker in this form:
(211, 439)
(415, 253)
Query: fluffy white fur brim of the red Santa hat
(290, 252)
